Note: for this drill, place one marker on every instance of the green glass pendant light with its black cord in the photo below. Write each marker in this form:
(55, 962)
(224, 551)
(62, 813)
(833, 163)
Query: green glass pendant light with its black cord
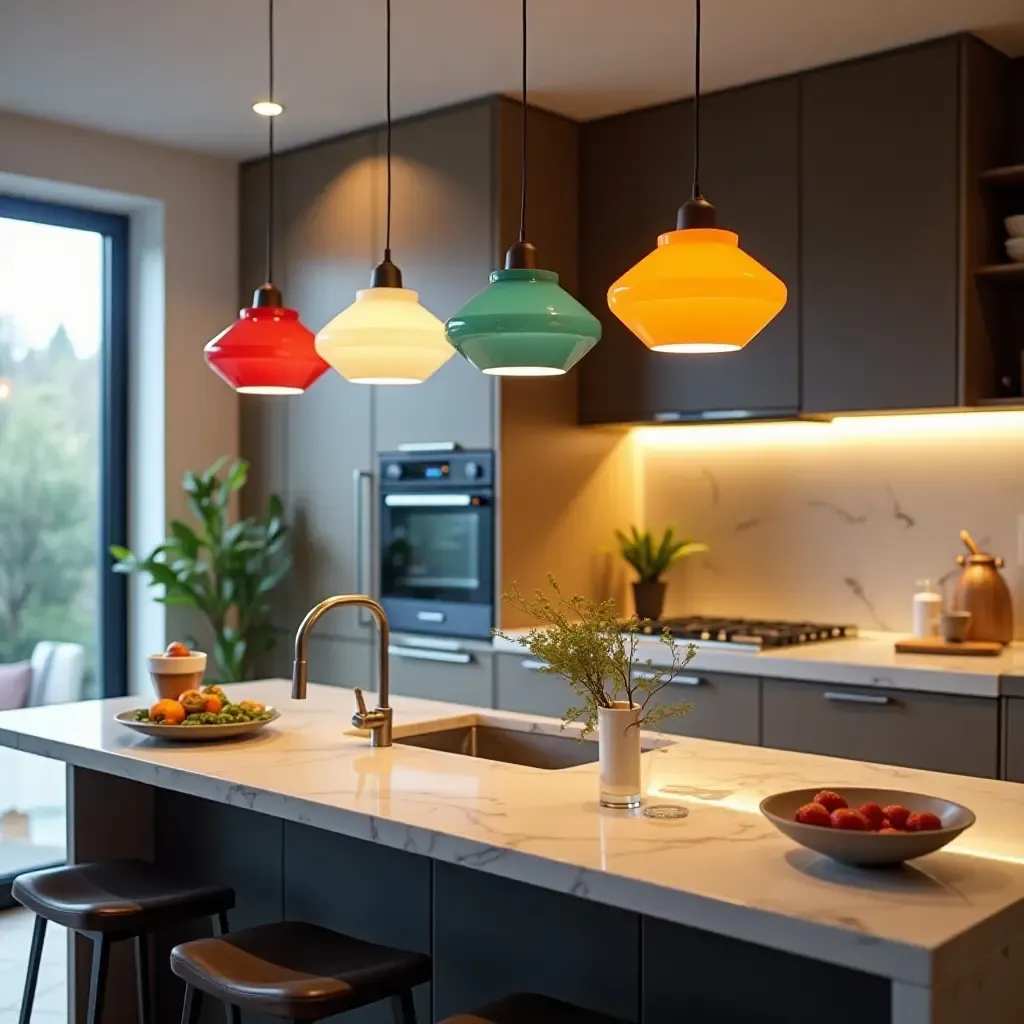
(524, 324)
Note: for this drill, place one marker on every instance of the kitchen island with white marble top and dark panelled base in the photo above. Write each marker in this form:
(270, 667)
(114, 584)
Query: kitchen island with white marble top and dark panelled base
(514, 877)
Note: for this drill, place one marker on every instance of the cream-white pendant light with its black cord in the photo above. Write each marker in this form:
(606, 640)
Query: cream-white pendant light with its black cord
(386, 336)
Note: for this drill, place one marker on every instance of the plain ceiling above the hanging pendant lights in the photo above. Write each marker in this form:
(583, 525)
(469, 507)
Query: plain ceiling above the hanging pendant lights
(187, 72)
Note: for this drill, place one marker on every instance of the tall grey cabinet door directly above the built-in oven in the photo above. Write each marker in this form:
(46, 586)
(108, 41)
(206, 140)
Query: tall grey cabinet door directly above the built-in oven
(442, 239)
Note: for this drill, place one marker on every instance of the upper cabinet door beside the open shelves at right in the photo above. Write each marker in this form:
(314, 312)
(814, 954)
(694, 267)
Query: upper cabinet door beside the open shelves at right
(880, 214)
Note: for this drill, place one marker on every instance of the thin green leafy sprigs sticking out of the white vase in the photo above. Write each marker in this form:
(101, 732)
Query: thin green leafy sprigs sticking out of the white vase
(588, 645)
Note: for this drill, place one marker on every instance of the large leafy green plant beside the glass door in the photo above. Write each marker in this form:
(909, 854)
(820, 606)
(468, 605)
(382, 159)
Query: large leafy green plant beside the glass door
(226, 571)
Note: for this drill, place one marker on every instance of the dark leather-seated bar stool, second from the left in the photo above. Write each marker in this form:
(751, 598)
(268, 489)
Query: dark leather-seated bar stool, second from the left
(297, 971)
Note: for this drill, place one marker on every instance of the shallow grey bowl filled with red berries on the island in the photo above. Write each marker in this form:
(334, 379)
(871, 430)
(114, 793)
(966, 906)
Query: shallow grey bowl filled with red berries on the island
(867, 827)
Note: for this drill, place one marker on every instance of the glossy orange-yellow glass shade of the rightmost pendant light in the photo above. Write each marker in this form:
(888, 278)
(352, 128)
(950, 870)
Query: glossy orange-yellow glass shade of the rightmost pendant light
(697, 292)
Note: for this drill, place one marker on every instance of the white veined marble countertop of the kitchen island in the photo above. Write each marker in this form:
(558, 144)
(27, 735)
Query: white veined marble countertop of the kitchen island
(723, 869)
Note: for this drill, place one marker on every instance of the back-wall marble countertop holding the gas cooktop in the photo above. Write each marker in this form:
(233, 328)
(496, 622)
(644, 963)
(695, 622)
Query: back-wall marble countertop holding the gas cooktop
(869, 660)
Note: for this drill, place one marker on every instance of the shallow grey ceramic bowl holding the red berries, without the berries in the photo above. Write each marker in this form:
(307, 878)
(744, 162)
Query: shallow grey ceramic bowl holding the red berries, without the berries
(868, 849)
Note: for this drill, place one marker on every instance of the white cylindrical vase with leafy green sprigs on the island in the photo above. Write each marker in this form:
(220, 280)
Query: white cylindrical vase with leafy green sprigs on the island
(595, 652)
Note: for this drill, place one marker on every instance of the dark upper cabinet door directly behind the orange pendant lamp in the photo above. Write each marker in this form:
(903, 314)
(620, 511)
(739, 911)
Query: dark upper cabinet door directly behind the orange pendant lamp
(635, 175)
